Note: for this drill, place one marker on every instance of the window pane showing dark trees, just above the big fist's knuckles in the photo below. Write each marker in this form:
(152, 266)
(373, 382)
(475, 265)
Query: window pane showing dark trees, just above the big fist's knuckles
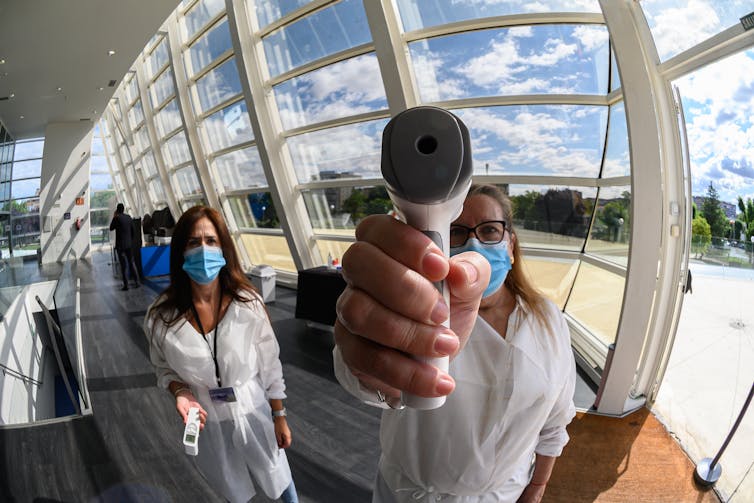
(342, 208)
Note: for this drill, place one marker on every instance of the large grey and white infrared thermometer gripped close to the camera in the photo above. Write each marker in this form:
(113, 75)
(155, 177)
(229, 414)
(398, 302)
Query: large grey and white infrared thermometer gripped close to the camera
(426, 164)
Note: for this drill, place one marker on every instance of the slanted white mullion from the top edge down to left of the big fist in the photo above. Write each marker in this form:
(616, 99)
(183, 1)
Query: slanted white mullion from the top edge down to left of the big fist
(267, 126)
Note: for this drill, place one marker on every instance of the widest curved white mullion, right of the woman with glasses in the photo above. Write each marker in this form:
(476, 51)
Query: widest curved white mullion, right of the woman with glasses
(656, 164)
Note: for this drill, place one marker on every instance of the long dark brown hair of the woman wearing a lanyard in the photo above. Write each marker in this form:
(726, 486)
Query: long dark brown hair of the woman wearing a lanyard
(233, 282)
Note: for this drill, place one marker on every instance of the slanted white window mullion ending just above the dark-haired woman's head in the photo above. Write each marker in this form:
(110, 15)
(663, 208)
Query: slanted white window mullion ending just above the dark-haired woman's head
(187, 114)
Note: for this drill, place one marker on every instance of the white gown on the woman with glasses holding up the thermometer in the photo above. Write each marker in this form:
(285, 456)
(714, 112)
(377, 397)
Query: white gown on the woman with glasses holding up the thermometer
(513, 398)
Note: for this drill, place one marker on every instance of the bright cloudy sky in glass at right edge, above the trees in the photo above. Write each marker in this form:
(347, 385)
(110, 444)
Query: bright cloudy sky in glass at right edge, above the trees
(720, 126)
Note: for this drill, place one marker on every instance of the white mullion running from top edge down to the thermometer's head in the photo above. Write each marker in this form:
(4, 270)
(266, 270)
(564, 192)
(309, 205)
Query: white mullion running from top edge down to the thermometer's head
(397, 74)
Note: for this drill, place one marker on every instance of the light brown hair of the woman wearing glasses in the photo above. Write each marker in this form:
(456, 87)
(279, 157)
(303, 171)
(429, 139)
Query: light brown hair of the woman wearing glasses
(517, 280)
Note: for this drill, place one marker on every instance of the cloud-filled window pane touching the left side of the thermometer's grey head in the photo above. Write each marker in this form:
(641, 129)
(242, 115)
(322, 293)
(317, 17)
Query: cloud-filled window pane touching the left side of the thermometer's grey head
(351, 151)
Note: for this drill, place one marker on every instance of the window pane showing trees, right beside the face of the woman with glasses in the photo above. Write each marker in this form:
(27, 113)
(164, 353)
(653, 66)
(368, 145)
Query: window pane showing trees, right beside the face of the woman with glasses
(552, 217)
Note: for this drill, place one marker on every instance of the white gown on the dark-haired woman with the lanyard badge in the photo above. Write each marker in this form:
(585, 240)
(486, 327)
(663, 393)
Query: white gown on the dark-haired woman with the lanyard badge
(239, 437)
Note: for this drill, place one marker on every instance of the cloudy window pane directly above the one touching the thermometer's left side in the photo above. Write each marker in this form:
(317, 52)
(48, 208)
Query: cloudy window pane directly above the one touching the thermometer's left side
(346, 88)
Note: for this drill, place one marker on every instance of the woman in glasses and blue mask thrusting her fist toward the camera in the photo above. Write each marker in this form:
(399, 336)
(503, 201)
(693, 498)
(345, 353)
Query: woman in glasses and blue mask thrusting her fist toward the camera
(499, 433)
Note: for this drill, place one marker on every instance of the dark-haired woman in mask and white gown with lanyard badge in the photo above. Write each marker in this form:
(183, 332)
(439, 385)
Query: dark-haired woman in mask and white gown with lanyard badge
(212, 346)
